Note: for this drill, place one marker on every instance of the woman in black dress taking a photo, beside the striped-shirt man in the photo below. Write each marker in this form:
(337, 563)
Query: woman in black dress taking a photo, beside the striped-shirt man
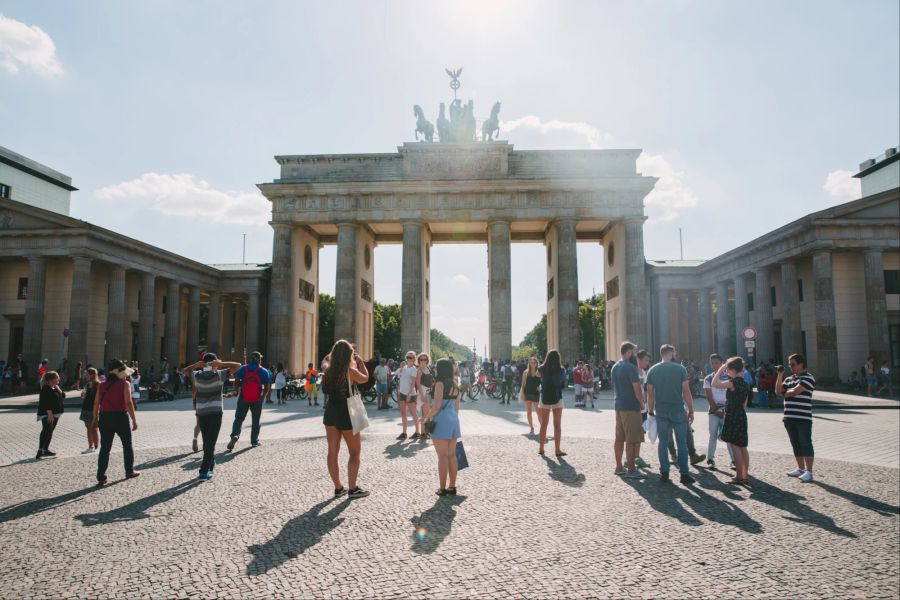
(734, 430)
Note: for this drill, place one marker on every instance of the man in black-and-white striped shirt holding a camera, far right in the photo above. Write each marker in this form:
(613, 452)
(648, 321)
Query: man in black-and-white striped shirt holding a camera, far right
(797, 390)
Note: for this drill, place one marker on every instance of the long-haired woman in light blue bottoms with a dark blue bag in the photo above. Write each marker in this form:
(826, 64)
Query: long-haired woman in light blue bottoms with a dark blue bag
(444, 412)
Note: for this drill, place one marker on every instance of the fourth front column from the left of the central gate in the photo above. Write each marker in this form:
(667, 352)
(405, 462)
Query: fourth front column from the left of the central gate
(499, 290)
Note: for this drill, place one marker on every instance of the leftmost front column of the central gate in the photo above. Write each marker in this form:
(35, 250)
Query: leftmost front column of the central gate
(279, 322)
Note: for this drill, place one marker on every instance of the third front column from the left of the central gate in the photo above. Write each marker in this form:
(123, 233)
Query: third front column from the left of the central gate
(415, 333)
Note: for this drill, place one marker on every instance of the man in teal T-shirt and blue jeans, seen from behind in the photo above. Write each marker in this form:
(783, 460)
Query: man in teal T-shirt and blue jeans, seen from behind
(668, 391)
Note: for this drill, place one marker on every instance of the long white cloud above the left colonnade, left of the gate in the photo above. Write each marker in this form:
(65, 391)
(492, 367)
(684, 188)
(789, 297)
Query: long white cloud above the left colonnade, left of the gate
(183, 195)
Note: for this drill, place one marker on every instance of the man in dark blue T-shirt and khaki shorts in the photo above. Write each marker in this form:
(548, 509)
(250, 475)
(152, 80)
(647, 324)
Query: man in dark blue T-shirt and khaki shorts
(629, 404)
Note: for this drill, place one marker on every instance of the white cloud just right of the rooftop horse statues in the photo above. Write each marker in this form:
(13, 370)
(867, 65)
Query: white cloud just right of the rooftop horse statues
(532, 133)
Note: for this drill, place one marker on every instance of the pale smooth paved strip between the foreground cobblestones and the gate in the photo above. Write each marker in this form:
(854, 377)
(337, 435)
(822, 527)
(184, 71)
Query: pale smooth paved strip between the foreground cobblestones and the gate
(855, 435)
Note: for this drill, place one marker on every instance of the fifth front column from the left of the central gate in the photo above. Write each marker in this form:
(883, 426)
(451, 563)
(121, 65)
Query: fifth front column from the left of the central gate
(563, 331)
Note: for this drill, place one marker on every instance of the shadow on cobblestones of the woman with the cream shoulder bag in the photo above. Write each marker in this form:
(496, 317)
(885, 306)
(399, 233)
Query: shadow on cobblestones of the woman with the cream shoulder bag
(296, 537)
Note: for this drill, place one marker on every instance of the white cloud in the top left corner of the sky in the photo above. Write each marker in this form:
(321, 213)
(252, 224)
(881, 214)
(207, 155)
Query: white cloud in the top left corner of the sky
(29, 47)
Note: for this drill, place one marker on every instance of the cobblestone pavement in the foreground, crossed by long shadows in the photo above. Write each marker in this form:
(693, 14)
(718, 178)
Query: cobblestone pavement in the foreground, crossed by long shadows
(524, 526)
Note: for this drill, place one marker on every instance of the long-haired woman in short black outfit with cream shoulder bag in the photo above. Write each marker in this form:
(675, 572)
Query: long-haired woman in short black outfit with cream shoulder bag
(343, 366)
